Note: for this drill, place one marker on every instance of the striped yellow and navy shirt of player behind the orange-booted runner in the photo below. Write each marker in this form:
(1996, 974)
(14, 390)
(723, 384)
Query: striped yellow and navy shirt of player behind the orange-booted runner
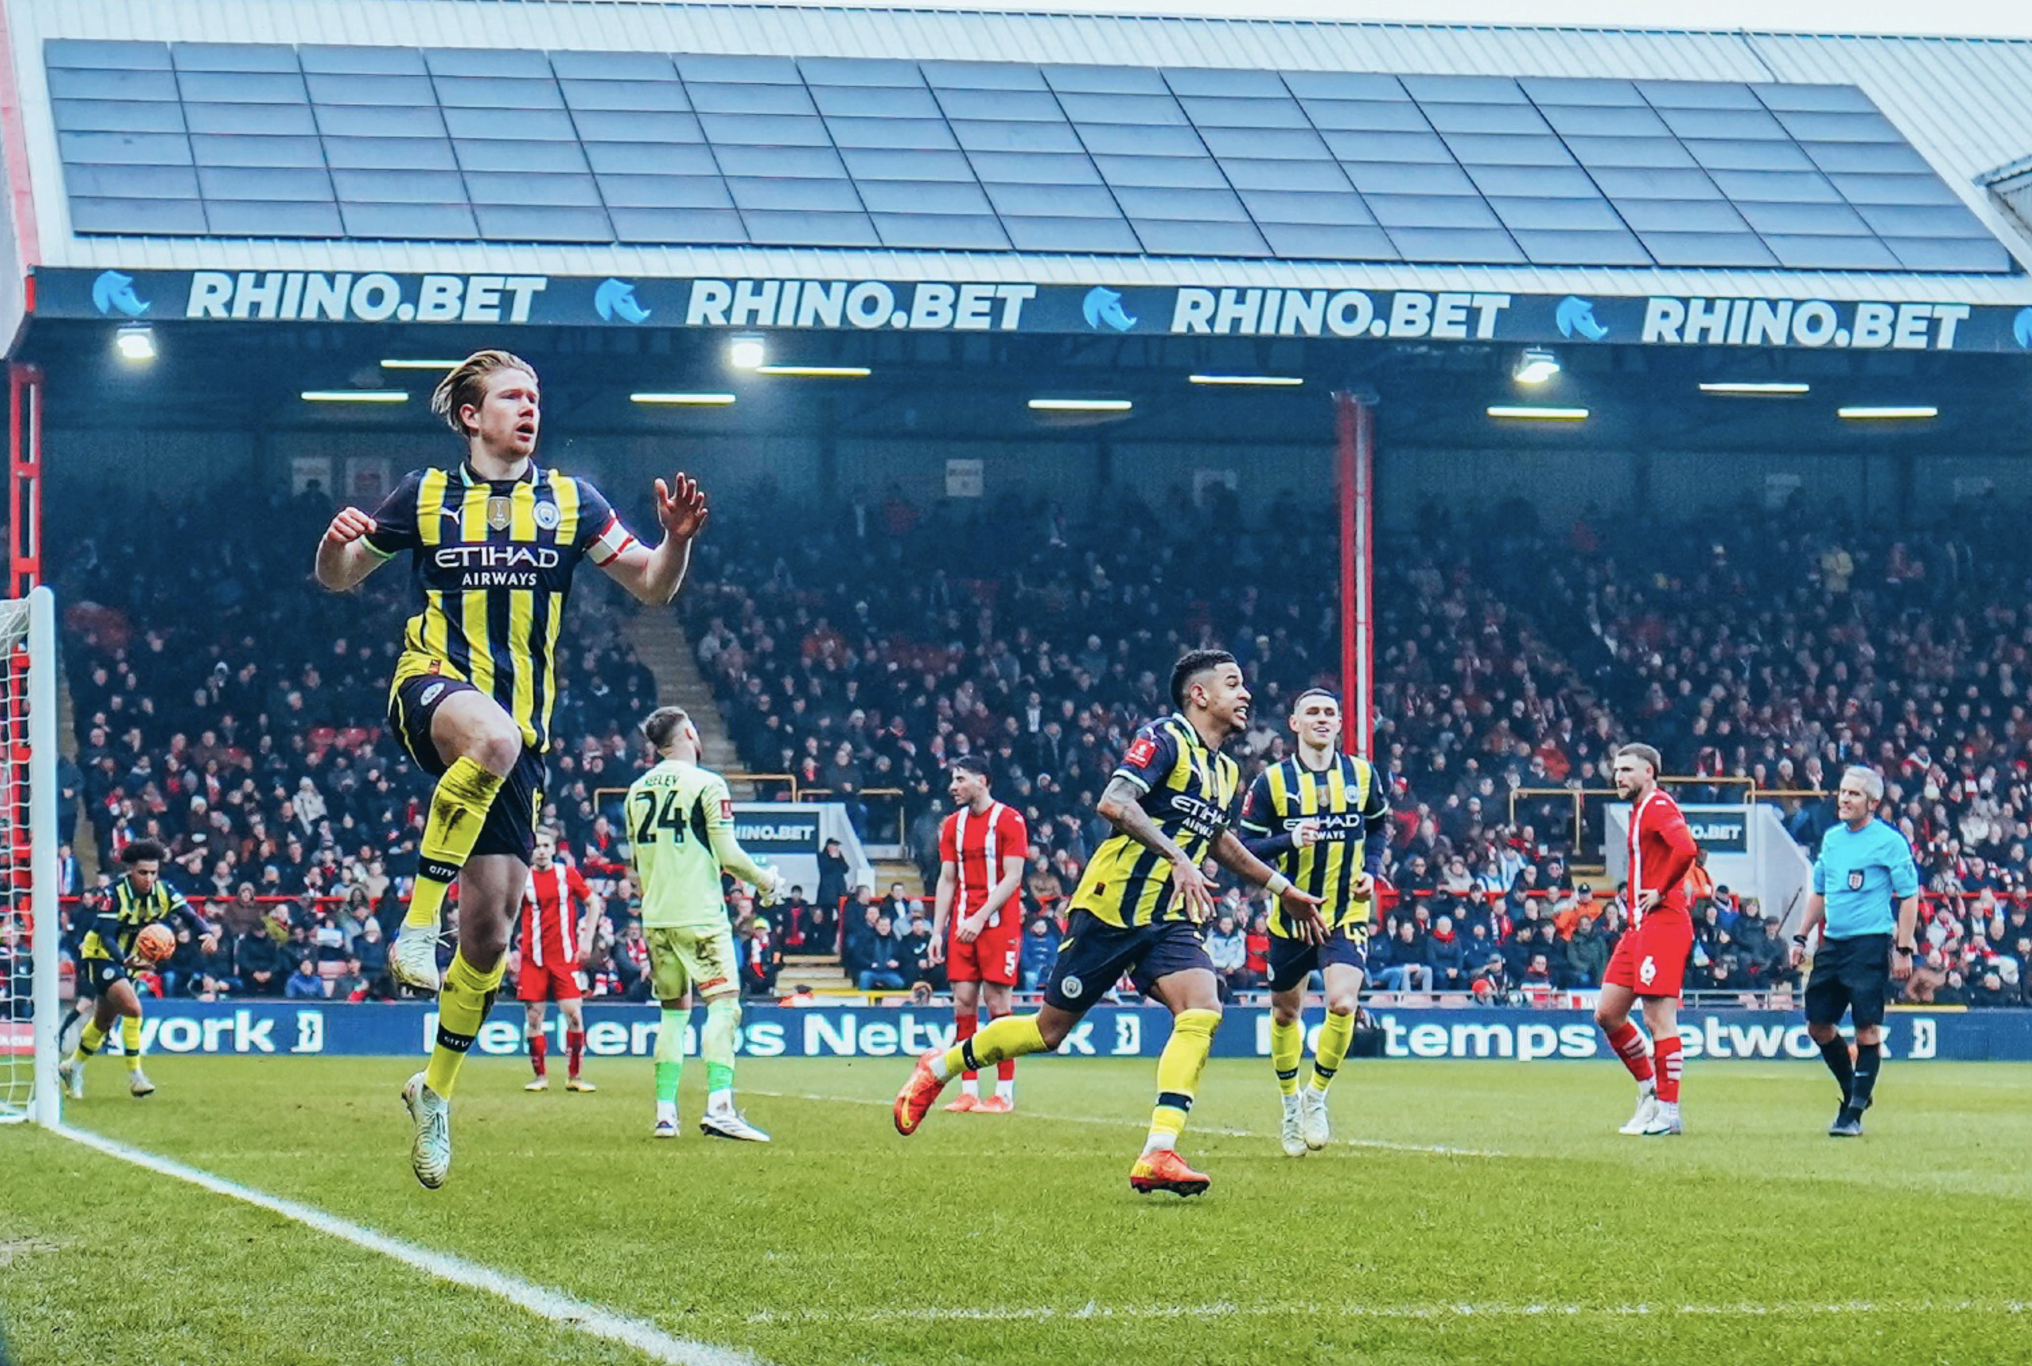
(1348, 804)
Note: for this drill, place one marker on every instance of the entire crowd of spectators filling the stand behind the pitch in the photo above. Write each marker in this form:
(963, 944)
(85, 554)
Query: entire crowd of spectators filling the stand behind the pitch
(233, 710)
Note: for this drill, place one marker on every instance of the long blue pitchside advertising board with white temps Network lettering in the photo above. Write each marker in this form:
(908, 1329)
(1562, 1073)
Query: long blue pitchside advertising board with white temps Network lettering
(1108, 1032)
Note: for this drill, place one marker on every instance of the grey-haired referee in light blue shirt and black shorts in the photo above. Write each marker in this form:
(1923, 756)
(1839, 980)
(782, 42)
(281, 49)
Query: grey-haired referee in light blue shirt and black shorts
(1864, 869)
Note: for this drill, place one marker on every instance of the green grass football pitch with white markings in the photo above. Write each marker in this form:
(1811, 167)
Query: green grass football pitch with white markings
(1468, 1213)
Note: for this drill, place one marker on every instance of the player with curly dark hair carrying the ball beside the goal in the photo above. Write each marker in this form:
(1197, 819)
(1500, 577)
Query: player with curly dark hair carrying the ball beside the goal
(139, 899)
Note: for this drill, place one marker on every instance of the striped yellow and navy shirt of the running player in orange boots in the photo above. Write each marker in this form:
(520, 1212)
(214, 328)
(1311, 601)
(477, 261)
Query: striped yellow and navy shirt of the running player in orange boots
(1190, 794)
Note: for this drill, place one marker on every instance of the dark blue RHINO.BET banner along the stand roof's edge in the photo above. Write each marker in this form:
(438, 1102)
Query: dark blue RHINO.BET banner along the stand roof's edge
(936, 306)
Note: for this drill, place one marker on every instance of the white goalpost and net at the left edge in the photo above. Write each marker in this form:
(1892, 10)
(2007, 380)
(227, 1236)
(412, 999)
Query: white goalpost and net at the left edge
(29, 861)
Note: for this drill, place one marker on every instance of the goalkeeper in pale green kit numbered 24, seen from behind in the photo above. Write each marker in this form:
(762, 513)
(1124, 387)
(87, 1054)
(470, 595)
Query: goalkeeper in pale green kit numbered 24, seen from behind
(680, 839)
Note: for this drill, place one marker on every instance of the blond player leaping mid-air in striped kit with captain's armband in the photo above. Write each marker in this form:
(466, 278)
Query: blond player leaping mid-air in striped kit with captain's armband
(493, 548)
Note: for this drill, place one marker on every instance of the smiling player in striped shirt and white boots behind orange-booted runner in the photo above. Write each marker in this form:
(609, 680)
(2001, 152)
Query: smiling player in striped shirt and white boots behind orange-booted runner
(1320, 818)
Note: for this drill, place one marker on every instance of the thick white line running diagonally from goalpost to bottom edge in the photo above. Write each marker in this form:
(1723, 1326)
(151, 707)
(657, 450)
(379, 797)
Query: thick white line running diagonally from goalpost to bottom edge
(544, 1302)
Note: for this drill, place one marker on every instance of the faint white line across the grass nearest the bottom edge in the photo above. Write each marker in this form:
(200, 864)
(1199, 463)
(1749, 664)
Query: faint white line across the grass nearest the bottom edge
(1218, 1310)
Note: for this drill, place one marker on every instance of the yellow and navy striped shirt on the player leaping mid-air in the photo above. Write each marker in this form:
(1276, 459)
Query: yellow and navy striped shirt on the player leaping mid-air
(495, 562)
